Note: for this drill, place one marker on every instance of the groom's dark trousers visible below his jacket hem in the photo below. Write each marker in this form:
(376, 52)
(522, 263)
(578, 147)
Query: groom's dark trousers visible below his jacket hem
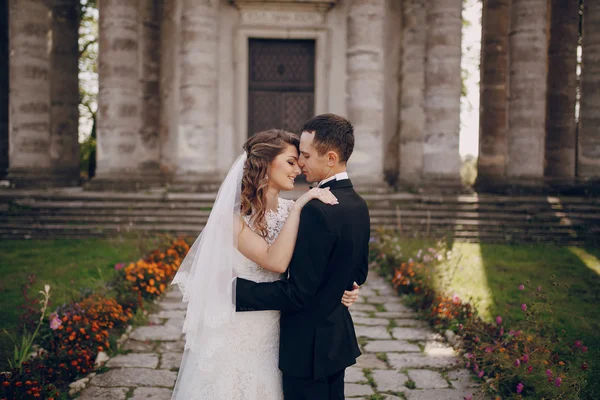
(330, 388)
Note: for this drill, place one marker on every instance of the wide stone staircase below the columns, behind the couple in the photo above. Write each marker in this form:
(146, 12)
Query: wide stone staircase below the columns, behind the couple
(74, 213)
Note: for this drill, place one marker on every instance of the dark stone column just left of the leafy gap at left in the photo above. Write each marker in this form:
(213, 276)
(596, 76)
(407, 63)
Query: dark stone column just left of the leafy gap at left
(64, 92)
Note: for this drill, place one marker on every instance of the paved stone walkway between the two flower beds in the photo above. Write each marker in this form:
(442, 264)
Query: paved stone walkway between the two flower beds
(402, 357)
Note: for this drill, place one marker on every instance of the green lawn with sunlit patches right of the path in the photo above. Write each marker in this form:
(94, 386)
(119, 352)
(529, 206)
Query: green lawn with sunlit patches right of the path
(491, 274)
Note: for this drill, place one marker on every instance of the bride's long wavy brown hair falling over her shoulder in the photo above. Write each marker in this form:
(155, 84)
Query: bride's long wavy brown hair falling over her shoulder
(261, 150)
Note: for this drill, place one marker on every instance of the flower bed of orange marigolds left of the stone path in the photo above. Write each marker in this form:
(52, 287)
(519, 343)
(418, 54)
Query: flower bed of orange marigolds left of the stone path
(71, 337)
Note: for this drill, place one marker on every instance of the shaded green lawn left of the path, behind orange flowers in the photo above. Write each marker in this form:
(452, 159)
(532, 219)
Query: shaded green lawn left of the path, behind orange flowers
(68, 266)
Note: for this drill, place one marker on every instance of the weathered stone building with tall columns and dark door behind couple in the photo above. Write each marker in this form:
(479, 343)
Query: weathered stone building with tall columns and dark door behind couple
(184, 82)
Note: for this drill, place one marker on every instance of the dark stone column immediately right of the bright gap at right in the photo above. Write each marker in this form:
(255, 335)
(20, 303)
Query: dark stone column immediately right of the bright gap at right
(493, 109)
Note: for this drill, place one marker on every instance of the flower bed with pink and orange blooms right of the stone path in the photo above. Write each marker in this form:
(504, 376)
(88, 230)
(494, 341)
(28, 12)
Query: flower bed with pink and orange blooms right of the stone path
(525, 358)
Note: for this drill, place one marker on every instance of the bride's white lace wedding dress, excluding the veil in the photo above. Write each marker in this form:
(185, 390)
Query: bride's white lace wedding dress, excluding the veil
(246, 367)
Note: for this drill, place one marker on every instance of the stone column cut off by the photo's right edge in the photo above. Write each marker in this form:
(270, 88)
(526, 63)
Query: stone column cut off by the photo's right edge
(588, 155)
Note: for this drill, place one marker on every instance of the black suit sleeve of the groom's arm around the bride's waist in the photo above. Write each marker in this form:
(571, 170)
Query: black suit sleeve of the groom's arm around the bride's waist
(308, 264)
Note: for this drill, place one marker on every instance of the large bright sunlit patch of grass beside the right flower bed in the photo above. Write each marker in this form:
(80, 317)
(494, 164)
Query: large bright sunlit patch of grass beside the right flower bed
(464, 275)
